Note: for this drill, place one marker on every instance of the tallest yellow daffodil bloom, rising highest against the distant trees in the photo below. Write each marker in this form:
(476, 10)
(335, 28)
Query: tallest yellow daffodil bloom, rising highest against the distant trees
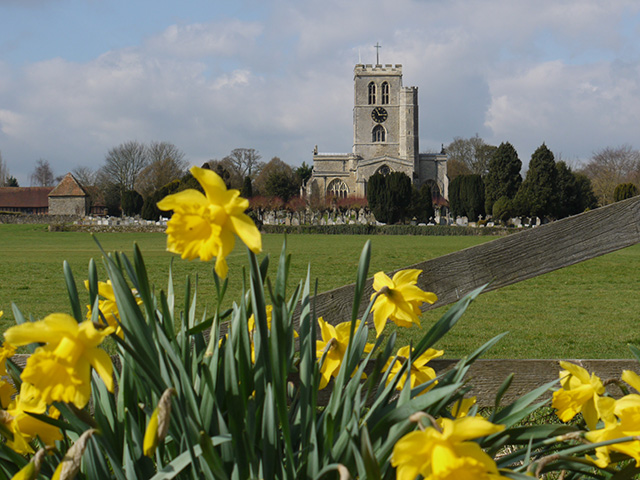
(204, 225)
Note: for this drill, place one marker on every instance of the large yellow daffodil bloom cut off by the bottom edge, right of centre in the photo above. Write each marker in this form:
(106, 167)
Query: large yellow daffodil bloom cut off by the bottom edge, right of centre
(446, 452)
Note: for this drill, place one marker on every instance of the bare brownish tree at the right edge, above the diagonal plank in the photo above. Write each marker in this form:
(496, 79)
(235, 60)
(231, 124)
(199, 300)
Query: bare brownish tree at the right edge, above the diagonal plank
(610, 167)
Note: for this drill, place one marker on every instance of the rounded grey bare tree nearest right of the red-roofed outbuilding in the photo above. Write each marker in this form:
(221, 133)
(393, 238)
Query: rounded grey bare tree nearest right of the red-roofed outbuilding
(123, 164)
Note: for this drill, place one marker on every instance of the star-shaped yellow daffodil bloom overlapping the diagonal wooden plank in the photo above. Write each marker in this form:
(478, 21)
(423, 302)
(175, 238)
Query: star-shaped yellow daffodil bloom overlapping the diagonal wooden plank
(398, 299)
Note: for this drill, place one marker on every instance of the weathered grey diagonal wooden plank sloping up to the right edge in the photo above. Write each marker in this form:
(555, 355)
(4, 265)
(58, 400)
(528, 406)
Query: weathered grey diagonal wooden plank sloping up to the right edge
(509, 259)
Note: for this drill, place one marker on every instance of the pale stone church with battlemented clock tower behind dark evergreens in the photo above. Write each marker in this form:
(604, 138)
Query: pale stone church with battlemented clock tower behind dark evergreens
(385, 139)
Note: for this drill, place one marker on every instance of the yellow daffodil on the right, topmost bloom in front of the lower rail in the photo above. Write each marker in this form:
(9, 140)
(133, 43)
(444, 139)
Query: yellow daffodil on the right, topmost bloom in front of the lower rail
(582, 393)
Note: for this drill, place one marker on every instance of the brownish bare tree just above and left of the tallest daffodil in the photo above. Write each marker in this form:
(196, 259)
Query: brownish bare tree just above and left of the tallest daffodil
(167, 163)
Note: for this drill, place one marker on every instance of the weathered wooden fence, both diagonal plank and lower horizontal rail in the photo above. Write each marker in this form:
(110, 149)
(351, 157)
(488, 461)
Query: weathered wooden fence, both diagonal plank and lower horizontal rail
(506, 261)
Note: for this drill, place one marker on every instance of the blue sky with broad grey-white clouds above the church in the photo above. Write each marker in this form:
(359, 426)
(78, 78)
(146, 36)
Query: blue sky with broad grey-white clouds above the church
(79, 77)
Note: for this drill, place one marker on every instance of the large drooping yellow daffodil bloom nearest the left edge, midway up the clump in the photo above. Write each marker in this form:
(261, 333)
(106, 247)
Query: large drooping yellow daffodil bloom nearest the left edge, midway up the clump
(60, 370)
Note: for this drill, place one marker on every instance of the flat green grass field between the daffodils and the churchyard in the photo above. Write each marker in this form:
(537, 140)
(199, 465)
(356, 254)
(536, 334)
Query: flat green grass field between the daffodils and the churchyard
(589, 310)
